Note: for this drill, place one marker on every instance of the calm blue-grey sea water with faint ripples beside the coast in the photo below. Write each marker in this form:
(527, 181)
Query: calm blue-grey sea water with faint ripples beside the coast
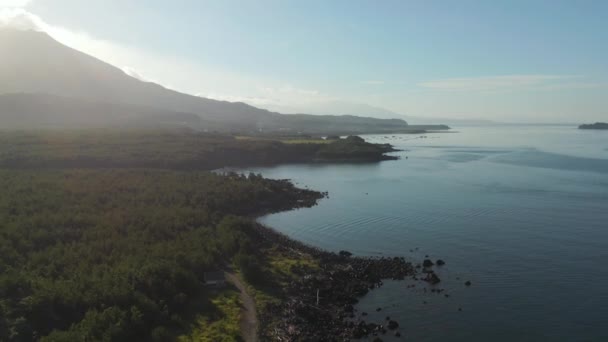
(522, 212)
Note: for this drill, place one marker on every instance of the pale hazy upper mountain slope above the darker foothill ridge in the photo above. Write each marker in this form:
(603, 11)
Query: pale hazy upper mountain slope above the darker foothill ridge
(33, 62)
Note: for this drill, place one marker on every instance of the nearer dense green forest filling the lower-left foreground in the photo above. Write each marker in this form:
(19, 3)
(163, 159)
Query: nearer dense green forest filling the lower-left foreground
(91, 255)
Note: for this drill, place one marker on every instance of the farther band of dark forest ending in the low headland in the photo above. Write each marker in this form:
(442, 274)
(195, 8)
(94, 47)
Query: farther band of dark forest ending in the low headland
(172, 149)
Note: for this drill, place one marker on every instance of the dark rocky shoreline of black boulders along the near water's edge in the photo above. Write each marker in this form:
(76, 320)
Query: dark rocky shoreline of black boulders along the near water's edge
(320, 303)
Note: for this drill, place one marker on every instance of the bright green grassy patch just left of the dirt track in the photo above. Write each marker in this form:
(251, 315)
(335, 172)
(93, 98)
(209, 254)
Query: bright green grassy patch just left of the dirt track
(222, 327)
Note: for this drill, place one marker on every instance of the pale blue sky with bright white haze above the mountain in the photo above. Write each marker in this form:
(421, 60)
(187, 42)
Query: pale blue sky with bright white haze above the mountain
(510, 61)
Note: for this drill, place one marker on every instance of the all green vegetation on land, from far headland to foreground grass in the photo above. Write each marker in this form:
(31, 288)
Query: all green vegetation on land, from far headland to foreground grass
(105, 235)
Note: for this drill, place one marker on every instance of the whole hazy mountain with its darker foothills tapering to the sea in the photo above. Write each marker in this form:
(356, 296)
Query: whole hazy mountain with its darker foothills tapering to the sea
(46, 84)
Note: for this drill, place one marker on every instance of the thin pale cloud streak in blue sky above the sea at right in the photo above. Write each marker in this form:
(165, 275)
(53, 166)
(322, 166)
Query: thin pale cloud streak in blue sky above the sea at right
(492, 83)
